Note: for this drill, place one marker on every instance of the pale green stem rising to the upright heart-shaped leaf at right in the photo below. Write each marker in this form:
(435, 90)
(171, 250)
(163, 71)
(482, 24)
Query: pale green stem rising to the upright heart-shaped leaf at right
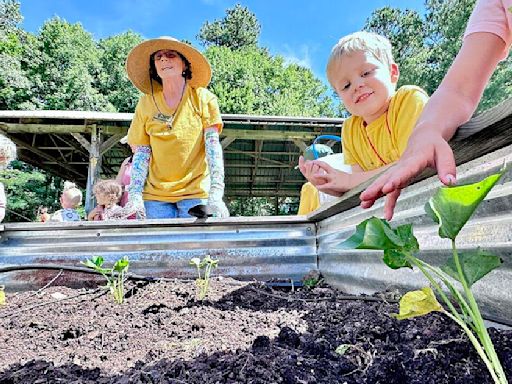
(477, 318)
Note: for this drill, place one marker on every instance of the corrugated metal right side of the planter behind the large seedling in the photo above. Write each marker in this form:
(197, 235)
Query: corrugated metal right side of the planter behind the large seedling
(363, 271)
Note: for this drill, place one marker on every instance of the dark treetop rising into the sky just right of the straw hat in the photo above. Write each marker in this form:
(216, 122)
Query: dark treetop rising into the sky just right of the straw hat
(238, 29)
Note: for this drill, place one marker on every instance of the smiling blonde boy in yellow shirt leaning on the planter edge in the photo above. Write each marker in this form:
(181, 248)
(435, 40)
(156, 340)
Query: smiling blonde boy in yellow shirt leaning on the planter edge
(362, 72)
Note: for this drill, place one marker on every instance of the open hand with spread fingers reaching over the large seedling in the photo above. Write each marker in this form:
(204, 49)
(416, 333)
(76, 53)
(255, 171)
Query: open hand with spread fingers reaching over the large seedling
(425, 149)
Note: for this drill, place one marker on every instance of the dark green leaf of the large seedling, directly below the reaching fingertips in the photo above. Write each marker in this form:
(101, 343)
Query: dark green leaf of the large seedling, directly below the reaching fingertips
(373, 233)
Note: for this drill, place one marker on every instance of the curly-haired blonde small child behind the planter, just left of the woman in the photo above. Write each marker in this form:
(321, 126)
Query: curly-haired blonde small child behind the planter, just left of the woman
(108, 194)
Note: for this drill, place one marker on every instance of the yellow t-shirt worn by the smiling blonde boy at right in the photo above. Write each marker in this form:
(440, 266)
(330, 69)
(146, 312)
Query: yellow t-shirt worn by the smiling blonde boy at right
(388, 145)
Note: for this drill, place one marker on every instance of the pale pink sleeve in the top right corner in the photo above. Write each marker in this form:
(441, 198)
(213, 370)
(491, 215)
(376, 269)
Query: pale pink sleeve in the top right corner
(494, 16)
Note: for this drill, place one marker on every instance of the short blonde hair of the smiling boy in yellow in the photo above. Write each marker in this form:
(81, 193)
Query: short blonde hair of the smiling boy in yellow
(378, 45)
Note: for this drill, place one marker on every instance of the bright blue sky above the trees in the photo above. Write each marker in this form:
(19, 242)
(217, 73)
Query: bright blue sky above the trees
(299, 30)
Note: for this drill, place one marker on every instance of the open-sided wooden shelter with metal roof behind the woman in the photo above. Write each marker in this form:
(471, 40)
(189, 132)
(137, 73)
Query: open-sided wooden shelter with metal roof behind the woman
(260, 152)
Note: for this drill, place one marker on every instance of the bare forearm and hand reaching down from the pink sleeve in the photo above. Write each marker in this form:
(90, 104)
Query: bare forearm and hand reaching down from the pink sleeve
(449, 107)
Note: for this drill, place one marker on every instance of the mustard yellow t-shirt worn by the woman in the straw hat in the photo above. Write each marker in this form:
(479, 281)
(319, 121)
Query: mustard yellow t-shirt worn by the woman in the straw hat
(177, 169)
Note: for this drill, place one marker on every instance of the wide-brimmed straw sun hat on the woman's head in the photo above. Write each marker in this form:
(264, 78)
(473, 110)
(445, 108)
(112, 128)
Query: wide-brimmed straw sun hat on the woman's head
(137, 63)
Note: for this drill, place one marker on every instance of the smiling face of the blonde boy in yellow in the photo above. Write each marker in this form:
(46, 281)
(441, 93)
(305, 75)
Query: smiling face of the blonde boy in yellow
(364, 84)
